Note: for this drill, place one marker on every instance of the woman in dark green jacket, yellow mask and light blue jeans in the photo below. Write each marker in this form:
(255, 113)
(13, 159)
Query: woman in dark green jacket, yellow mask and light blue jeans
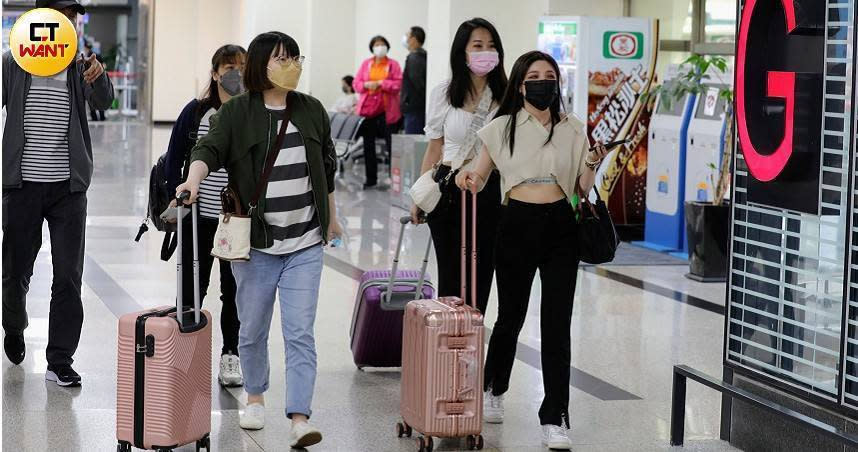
(294, 217)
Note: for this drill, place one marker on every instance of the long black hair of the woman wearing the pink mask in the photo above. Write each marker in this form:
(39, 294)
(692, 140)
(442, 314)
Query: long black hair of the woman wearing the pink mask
(461, 84)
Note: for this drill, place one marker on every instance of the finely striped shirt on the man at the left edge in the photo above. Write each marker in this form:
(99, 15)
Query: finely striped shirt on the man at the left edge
(46, 125)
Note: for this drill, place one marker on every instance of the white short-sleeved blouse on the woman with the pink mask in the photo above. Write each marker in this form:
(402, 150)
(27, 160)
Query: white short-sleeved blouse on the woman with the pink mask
(445, 121)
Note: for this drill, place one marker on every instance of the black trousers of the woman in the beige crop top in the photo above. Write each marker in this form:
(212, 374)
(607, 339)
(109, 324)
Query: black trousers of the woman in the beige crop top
(531, 237)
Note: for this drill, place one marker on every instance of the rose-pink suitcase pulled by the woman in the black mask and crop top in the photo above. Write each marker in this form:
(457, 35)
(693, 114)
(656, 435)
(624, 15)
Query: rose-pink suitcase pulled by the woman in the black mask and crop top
(442, 363)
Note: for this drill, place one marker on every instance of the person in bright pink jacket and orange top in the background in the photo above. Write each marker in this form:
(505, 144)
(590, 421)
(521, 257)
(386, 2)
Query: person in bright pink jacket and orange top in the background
(378, 82)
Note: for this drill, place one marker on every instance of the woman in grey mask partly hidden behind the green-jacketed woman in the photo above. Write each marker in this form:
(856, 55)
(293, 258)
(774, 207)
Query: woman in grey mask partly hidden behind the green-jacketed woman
(193, 123)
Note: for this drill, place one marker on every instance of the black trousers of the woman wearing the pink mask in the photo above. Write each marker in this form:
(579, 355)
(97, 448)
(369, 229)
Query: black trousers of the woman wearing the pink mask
(445, 222)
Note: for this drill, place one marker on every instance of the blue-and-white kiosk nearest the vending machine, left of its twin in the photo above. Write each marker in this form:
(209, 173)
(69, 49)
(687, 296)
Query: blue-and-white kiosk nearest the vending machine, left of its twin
(664, 228)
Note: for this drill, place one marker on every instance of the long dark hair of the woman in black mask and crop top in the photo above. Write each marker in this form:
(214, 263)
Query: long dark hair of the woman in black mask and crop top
(513, 100)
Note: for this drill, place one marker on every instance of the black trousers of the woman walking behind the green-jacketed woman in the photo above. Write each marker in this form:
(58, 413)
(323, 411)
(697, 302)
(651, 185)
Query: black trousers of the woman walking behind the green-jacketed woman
(229, 323)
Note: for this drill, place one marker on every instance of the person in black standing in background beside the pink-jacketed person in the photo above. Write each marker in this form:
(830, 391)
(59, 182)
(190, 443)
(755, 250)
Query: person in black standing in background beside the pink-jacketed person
(413, 97)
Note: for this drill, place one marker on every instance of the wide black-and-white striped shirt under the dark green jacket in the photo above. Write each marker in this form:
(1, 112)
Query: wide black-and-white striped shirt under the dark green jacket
(290, 207)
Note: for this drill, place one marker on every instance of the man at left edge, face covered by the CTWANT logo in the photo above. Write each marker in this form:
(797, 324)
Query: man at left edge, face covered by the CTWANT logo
(47, 167)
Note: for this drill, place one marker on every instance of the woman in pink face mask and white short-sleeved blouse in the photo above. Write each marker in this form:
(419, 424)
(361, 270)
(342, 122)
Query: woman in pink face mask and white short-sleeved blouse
(456, 110)
